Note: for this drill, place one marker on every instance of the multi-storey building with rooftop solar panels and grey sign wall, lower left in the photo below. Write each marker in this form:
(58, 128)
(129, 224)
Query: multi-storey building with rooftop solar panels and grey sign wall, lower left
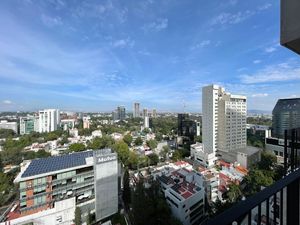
(90, 177)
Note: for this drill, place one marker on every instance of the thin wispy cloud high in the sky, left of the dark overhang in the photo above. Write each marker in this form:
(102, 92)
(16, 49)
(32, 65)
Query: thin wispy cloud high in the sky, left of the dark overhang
(231, 18)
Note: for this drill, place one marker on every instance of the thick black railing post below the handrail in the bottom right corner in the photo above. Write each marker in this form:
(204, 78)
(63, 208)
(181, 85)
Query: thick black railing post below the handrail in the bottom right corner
(293, 203)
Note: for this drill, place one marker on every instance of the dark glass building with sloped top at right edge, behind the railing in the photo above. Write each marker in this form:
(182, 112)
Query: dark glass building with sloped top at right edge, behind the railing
(286, 115)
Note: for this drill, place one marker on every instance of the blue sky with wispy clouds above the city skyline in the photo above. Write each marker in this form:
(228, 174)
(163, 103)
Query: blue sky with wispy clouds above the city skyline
(95, 55)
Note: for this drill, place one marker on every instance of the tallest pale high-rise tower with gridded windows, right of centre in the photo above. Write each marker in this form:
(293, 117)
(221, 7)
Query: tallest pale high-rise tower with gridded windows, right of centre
(224, 123)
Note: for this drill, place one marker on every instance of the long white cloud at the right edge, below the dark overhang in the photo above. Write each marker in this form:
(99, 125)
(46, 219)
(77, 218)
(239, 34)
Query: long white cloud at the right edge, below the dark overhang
(280, 72)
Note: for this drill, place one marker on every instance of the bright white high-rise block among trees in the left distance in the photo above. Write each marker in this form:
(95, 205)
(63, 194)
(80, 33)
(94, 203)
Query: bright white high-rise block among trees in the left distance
(49, 120)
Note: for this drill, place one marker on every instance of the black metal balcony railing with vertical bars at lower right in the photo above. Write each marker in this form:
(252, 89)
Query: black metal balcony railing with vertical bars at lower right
(277, 204)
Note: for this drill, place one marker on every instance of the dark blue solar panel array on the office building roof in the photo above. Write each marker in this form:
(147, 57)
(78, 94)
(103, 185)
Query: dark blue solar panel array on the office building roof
(46, 165)
